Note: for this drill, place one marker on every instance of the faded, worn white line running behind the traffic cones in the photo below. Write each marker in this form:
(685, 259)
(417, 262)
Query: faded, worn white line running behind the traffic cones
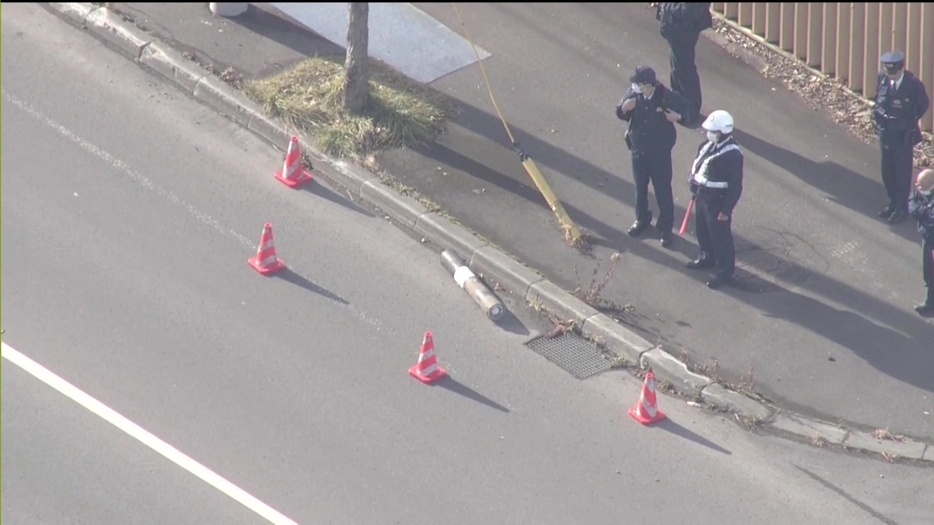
(157, 189)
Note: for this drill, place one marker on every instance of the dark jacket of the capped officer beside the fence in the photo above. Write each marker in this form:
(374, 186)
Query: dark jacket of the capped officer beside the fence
(896, 113)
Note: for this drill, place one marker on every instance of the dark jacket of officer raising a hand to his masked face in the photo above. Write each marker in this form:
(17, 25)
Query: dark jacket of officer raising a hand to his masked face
(649, 131)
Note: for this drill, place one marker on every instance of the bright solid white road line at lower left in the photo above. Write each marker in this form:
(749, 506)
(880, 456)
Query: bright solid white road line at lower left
(143, 436)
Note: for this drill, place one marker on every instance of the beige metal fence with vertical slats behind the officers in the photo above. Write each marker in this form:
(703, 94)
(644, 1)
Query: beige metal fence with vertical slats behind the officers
(845, 40)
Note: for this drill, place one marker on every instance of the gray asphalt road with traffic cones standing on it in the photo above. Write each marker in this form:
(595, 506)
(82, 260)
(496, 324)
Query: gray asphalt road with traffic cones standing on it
(129, 212)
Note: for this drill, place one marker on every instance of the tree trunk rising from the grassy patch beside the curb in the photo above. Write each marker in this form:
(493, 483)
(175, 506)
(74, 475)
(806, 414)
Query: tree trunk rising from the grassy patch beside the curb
(357, 64)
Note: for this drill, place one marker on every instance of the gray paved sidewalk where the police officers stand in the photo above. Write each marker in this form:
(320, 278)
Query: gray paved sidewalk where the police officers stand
(821, 322)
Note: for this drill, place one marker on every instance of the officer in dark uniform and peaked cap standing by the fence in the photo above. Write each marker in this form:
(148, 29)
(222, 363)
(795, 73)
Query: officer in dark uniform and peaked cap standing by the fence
(900, 102)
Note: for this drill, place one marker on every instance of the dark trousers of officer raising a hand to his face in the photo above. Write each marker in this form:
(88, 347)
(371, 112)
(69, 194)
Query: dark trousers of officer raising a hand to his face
(654, 167)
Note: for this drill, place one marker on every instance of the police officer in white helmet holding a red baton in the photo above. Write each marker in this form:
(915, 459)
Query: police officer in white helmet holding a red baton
(716, 185)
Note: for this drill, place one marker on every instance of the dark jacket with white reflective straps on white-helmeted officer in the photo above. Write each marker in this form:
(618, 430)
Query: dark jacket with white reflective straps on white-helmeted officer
(725, 168)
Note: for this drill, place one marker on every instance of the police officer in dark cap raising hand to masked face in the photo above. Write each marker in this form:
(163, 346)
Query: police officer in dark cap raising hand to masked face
(651, 110)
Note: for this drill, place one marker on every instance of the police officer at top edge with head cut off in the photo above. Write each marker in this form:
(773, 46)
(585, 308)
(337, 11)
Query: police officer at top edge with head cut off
(681, 25)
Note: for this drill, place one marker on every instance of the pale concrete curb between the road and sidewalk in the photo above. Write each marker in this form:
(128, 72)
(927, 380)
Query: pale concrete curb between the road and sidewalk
(484, 259)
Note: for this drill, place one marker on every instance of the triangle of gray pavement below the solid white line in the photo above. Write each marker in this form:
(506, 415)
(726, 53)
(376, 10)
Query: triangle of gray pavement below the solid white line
(62, 464)
